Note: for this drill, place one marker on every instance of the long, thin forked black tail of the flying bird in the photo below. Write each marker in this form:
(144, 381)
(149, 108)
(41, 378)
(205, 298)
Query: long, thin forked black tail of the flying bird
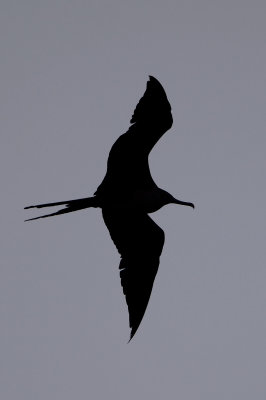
(71, 205)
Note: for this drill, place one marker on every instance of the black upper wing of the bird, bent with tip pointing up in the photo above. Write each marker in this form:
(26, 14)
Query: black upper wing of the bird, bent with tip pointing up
(127, 164)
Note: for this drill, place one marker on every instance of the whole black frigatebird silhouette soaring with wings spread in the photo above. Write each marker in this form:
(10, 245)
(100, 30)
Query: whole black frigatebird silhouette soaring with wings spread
(127, 195)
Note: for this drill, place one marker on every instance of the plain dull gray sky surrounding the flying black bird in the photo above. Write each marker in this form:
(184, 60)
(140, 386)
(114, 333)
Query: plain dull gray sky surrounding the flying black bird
(71, 75)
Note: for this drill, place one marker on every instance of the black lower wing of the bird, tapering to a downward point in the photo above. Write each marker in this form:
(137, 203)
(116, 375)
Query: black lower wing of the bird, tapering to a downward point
(139, 241)
